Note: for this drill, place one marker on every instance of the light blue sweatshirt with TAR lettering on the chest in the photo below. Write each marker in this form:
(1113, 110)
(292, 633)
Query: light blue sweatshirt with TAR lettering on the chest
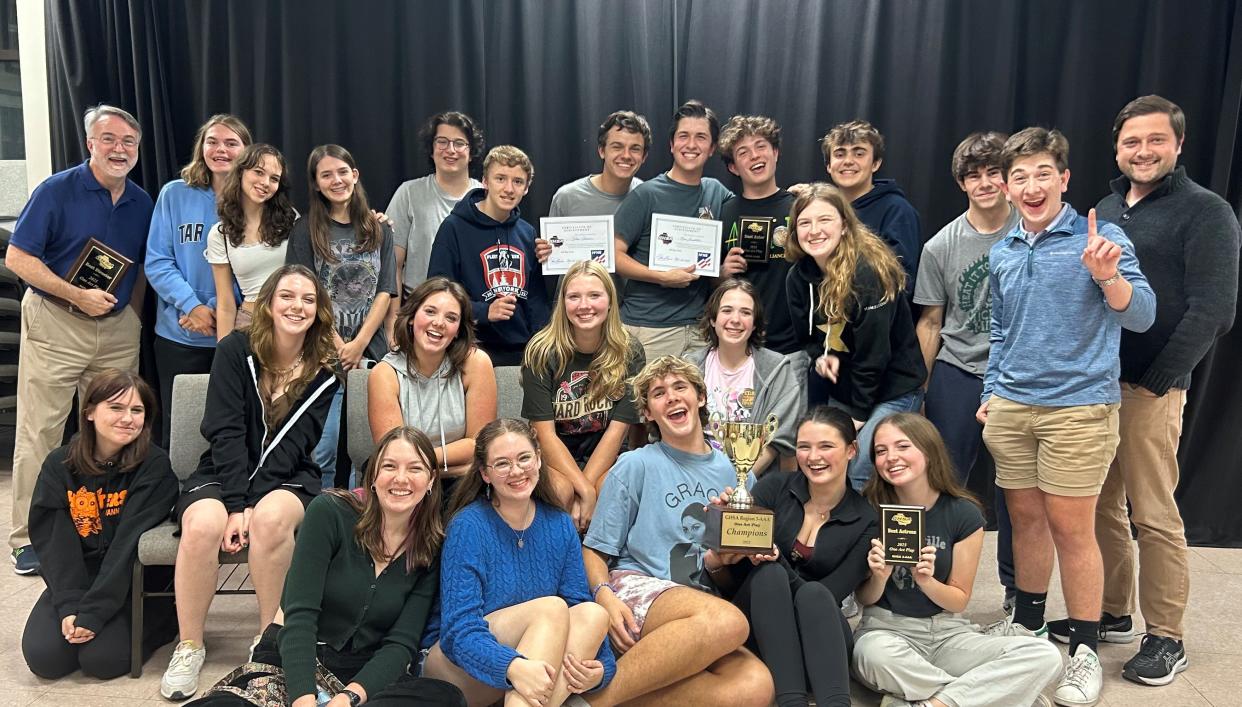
(176, 268)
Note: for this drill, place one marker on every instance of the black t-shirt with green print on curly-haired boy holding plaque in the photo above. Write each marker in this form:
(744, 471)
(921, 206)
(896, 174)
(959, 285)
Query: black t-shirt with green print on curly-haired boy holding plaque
(769, 214)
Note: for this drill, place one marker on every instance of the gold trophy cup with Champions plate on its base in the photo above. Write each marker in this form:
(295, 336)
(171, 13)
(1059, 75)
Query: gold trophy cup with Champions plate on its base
(742, 527)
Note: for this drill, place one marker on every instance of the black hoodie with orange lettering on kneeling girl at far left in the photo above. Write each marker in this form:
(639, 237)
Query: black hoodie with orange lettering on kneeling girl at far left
(86, 530)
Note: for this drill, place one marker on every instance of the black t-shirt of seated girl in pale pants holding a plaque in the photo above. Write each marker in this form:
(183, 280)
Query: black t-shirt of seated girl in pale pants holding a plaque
(951, 521)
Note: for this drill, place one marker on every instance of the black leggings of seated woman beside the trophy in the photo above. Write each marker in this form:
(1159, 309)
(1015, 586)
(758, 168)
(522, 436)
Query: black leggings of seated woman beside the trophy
(800, 636)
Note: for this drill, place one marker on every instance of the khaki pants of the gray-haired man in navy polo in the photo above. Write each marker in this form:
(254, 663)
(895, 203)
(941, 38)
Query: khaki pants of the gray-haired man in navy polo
(60, 352)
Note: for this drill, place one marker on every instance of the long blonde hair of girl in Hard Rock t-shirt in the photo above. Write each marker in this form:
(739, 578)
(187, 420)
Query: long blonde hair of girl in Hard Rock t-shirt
(553, 346)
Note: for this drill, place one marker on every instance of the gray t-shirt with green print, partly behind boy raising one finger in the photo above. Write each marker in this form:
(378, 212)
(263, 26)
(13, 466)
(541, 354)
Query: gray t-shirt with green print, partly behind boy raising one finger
(953, 274)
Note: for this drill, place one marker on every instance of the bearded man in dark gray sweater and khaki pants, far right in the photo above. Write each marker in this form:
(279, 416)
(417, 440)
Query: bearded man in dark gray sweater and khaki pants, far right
(1187, 239)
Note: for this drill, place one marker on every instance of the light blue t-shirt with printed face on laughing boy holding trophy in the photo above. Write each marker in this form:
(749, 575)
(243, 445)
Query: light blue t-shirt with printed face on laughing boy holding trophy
(650, 513)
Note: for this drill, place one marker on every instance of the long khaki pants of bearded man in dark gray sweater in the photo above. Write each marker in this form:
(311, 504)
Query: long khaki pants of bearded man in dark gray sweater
(1146, 472)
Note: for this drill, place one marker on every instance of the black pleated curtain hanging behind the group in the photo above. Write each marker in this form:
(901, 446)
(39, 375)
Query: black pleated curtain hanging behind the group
(543, 74)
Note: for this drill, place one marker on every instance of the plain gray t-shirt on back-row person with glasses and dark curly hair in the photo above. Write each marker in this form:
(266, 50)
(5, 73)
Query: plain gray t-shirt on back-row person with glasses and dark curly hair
(417, 211)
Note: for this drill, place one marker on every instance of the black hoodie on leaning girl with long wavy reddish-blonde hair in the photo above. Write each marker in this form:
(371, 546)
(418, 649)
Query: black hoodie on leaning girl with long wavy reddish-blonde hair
(877, 346)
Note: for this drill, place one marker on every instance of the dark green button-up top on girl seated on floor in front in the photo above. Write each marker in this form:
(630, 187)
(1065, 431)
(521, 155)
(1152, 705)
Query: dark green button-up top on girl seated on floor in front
(333, 597)
